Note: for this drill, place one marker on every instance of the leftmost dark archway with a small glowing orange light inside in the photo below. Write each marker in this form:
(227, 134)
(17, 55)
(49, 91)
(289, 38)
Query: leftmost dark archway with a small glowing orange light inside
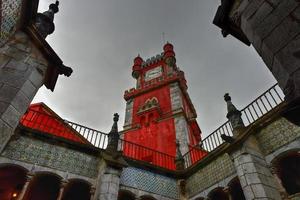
(12, 180)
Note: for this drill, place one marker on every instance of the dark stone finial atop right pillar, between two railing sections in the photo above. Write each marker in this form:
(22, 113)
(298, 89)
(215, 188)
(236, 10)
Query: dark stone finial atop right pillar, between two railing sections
(233, 114)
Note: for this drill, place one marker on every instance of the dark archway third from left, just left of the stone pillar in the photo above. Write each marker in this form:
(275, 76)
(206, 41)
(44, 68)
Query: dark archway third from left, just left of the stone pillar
(77, 190)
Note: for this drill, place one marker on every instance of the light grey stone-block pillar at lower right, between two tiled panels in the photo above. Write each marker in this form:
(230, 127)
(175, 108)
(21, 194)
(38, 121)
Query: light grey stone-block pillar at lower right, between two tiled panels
(255, 177)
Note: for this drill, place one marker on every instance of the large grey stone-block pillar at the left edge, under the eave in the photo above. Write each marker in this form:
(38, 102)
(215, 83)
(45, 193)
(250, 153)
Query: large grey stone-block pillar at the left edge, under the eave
(22, 71)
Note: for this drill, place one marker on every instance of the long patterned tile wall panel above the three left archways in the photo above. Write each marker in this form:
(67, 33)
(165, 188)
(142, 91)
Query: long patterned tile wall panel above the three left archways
(30, 150)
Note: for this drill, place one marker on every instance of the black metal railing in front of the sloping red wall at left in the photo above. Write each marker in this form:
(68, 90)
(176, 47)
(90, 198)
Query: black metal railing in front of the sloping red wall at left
(46, 123)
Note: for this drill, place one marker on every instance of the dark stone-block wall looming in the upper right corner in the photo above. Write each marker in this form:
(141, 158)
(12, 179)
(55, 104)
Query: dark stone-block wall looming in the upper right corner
(273, 28)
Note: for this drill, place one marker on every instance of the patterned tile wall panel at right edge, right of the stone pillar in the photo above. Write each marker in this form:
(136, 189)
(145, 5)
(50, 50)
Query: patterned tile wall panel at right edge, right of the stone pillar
(277, 134)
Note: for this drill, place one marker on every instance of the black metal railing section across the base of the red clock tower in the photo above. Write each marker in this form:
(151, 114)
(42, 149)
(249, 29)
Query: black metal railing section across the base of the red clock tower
(142, 153)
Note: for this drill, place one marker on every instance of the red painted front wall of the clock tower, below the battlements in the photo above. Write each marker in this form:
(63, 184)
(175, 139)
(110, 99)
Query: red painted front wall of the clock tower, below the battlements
(153, 133)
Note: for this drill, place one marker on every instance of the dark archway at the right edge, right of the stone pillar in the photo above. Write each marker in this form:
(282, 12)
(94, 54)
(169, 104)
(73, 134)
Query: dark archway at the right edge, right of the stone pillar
(288, 169)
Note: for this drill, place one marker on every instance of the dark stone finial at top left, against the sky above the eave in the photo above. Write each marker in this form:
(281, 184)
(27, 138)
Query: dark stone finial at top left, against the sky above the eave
(44, 21)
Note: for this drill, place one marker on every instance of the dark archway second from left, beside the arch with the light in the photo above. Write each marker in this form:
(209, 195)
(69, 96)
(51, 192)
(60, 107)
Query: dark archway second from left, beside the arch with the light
(44, 186)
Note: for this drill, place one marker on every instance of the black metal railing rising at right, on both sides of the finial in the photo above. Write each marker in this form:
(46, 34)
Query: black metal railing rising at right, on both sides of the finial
(252, 112)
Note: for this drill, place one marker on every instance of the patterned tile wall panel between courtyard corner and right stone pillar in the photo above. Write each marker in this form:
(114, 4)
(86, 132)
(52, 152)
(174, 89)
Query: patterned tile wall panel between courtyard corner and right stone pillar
(210, 174)
